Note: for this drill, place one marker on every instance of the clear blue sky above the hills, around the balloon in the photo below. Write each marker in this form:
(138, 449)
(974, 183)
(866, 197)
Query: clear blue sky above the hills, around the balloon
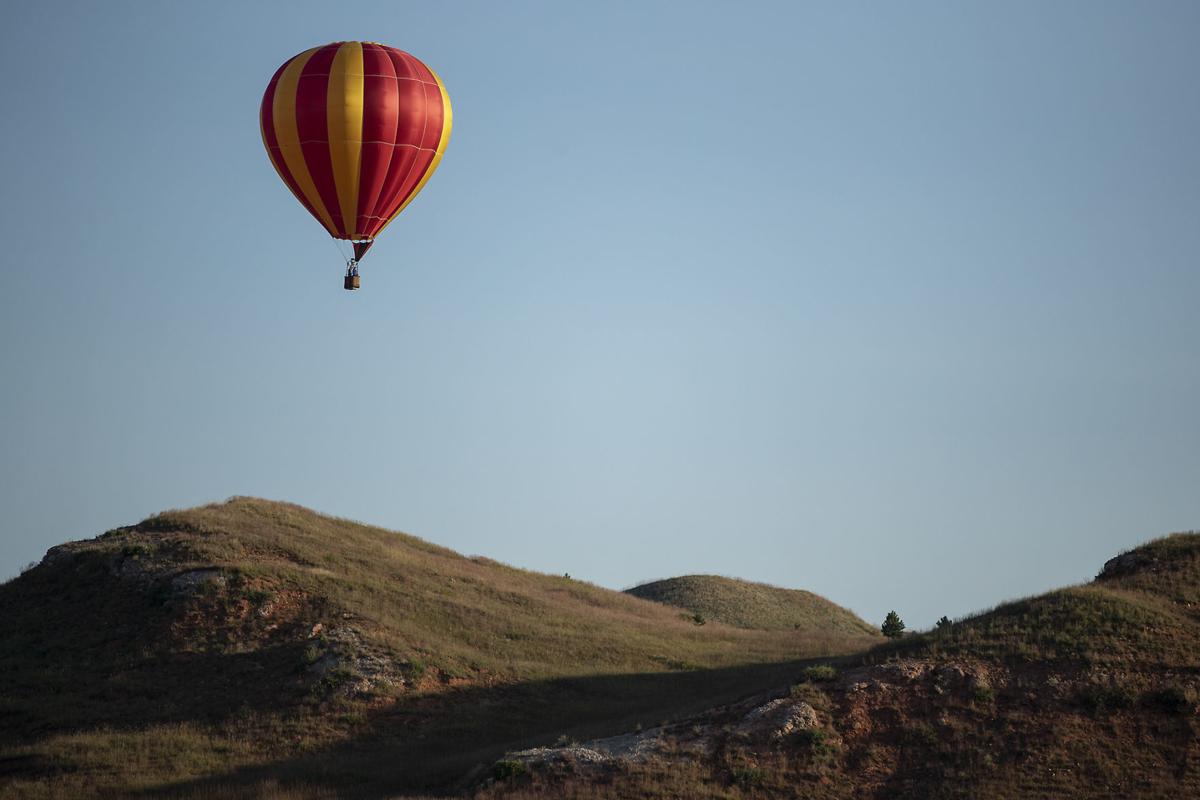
(895, 303)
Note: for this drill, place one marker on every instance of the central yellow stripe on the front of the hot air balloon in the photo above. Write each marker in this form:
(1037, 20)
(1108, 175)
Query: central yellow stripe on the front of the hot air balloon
(345, 115)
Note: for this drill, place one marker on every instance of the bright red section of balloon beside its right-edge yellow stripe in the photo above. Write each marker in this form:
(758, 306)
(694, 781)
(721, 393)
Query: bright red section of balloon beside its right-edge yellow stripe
(419, 124)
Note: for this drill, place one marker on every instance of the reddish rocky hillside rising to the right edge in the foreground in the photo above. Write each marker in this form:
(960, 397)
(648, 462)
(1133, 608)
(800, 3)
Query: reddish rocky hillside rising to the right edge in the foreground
(1090, 691)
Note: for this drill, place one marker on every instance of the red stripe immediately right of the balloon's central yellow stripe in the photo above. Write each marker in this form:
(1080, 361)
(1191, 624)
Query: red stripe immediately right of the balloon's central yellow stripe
(381, 113)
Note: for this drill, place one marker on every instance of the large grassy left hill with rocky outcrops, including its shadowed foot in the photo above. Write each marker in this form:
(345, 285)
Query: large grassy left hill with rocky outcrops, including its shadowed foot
(224, 649)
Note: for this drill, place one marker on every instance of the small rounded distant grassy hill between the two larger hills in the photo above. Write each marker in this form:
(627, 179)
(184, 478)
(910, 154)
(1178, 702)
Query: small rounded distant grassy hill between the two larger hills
(755, 606)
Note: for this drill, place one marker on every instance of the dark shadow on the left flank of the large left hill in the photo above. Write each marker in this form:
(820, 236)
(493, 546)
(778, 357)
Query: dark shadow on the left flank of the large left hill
(80, 653)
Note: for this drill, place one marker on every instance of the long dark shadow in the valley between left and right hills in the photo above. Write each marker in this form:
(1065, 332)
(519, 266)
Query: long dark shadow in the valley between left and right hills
(445, 742)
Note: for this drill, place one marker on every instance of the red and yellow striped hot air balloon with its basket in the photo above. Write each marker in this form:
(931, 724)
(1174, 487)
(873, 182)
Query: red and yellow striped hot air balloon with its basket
(356, 130)
